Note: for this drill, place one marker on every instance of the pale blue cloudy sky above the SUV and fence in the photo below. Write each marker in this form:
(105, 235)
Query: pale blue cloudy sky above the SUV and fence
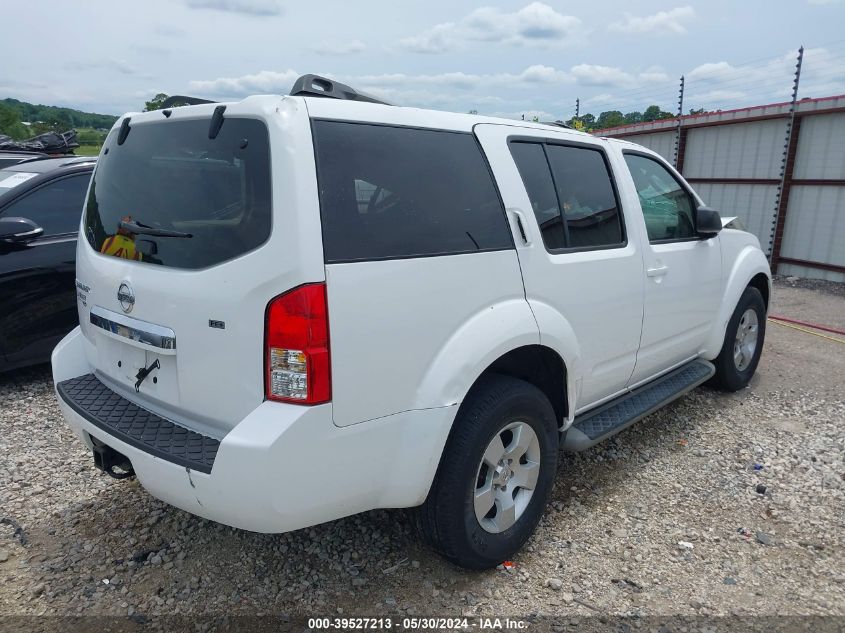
(502, 58)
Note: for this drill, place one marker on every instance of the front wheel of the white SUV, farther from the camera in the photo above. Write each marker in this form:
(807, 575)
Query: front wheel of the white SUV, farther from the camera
(734, 368)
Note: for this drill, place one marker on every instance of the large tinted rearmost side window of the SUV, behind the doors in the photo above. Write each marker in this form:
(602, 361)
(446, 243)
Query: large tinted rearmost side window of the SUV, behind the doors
(389, 192)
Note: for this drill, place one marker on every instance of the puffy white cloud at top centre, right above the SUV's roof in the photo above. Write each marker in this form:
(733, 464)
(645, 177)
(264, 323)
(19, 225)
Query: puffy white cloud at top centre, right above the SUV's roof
(534, 24)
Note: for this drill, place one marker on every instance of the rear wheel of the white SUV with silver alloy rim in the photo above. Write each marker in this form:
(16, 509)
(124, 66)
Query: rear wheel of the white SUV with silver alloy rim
(503, 407)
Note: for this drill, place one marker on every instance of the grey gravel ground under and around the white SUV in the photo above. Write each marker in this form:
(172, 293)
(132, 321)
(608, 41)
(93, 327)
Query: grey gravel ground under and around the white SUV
(719, 504)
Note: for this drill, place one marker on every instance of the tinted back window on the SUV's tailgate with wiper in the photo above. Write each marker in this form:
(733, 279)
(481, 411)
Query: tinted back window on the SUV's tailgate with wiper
(173, 197)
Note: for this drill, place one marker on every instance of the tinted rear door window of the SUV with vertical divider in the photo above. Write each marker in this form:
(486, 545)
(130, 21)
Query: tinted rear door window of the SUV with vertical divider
(571, 194)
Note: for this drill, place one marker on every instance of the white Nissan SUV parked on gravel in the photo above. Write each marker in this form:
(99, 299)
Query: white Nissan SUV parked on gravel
(297, 308)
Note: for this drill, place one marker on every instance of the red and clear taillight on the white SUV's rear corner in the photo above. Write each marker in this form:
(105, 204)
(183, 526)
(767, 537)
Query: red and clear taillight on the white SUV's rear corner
(296, 334)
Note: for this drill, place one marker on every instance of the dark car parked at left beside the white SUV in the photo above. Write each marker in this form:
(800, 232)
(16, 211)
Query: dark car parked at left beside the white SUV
(41, 202)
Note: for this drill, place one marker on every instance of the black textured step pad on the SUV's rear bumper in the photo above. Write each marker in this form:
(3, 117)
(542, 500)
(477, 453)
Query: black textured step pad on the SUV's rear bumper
(137, 427)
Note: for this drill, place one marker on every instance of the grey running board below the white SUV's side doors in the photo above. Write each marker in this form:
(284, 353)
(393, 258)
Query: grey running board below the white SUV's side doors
(592, 427)
